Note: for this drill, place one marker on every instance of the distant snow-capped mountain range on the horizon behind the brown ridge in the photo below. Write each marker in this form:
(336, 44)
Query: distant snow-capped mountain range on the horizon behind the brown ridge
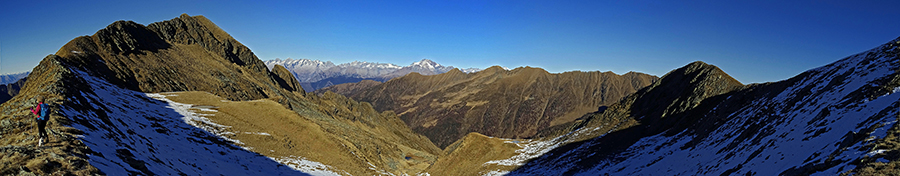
(315, 74)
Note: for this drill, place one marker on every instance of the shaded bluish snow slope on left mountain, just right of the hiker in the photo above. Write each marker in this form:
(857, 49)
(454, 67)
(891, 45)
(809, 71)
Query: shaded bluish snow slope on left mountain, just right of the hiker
(131, 133)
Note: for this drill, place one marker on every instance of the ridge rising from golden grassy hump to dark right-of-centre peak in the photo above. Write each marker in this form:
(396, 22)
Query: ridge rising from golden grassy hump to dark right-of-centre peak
(688, 85)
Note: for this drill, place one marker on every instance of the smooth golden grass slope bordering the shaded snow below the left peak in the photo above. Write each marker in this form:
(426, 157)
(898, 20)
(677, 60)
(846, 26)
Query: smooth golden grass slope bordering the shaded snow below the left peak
(290, 134)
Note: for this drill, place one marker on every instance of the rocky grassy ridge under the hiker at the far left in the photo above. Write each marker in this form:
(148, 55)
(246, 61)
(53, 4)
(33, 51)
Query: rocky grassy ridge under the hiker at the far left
(19, 154)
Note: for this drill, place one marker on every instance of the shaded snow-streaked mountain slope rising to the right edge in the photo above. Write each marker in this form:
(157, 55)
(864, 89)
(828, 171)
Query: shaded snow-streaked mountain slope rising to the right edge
(822, 122)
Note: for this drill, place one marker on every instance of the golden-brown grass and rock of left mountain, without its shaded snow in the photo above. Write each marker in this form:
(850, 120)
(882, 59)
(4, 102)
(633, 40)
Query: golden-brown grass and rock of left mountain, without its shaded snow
(192, 54)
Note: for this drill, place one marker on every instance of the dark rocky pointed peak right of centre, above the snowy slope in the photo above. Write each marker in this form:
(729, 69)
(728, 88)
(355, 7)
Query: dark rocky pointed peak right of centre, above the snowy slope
(684, 88)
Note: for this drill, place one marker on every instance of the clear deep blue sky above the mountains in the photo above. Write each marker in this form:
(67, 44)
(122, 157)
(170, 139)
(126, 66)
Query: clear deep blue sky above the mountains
(754, 41)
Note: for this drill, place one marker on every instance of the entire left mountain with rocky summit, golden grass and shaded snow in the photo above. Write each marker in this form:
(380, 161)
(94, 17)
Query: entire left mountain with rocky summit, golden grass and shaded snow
(109, 117)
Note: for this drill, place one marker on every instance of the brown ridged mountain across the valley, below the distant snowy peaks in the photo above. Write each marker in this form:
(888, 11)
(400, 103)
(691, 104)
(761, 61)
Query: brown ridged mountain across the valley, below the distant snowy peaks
(497, 102)
